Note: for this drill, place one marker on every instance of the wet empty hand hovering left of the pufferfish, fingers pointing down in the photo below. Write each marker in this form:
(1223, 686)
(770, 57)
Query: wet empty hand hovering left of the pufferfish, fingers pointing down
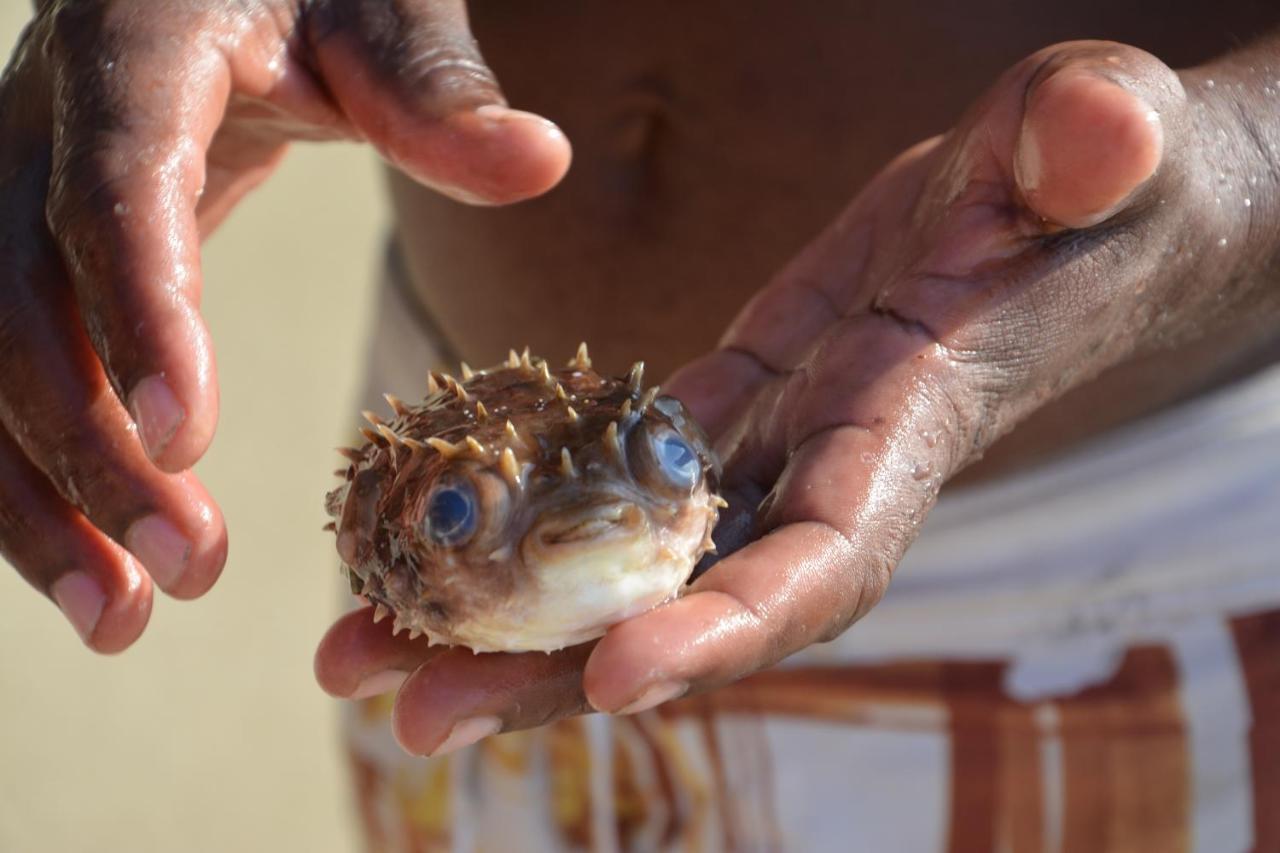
(129, 129)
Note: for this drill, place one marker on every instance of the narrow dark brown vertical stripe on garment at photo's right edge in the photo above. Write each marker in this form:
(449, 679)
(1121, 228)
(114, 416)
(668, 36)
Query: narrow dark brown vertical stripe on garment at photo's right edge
(1258, 642)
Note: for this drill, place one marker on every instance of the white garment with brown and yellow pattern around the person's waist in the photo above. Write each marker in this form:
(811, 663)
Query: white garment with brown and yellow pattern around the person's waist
(1081, 658)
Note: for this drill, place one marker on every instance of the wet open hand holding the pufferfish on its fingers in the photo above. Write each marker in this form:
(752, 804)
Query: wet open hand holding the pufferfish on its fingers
(1067, 225)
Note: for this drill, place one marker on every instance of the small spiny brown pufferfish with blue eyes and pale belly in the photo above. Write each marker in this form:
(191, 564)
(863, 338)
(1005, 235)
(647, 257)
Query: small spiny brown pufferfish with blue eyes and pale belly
(525, 508)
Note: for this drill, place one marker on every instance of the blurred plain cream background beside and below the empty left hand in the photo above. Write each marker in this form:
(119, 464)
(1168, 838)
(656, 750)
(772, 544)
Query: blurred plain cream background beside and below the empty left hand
(211, 735)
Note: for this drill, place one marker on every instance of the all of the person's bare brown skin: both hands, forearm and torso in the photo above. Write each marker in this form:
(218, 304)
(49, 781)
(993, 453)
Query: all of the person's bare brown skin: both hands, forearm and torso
(885, 325)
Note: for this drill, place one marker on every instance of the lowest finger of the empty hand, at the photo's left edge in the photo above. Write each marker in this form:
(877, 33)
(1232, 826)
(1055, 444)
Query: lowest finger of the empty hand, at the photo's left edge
(98, 586)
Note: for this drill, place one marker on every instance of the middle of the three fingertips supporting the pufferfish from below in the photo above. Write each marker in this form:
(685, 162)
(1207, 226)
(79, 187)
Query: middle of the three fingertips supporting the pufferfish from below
(460, 697)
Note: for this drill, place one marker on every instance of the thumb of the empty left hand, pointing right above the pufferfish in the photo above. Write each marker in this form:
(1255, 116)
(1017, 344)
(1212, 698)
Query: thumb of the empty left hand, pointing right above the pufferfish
(410, 77)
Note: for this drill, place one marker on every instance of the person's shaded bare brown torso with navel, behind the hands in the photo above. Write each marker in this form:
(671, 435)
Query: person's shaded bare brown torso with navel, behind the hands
(715, 140)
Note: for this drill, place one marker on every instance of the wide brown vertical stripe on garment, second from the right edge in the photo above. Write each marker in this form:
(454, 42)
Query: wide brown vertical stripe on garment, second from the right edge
(1126, 764)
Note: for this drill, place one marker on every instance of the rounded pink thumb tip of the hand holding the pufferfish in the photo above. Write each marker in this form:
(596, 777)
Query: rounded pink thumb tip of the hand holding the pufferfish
(1095, 126)
